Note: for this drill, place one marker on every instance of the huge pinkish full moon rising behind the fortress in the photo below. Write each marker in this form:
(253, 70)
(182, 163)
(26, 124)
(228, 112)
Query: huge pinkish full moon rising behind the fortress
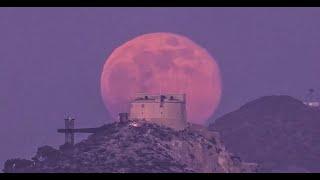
(162, 63)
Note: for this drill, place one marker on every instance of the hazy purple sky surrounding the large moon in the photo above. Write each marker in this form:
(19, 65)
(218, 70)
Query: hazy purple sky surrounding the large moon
(51, 60)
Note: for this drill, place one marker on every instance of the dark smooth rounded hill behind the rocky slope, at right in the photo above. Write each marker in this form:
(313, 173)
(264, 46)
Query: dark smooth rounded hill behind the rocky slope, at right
(279, 133)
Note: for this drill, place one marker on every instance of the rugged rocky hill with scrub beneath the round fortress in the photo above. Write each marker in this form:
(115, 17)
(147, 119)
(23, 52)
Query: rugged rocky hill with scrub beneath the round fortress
(137, 147)
